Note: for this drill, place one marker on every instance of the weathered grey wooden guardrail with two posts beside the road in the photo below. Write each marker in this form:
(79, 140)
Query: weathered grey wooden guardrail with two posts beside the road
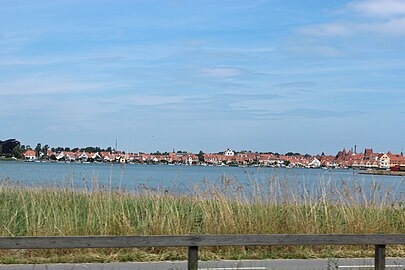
(193, 242)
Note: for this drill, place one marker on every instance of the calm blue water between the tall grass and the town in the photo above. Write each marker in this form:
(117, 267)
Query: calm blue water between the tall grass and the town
(179, 178)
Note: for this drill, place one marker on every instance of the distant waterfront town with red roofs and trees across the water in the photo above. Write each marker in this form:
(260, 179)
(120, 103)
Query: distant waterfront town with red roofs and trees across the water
(367, 159)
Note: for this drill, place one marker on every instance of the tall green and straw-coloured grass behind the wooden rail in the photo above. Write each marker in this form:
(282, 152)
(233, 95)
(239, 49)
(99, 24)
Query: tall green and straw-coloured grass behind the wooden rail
(271, 207)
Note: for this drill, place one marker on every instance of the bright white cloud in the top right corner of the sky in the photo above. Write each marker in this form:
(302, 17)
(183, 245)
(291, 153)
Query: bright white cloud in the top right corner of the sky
(379, 8)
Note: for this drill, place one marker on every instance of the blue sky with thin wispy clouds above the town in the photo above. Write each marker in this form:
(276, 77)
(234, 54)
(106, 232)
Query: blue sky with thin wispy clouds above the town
(306, 76)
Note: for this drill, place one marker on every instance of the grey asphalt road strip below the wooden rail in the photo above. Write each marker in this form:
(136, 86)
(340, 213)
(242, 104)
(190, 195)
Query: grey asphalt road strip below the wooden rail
(392, 263)
